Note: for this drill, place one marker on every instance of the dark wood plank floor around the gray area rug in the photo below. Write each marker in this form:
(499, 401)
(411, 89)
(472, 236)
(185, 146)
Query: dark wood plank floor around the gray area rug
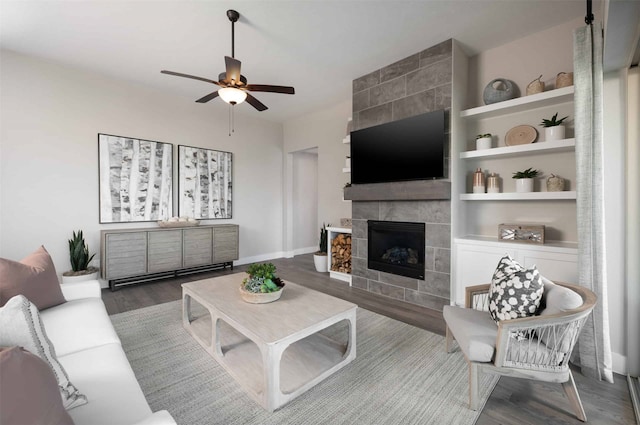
(513, 401)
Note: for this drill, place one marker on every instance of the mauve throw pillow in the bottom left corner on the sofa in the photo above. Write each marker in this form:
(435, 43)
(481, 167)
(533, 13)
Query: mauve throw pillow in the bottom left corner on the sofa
(29, 390)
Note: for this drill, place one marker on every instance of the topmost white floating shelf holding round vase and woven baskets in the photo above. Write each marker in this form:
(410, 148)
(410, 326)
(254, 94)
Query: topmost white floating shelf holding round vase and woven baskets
(521, 104)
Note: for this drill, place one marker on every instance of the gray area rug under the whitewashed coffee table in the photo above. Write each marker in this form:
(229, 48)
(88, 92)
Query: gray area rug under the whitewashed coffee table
(401, 375)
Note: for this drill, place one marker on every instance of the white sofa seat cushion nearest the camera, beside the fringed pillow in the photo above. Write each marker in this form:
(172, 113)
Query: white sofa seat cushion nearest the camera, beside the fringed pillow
(105, 376)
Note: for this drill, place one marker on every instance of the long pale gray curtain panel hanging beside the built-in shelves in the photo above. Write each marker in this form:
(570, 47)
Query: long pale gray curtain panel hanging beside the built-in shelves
(594, 346)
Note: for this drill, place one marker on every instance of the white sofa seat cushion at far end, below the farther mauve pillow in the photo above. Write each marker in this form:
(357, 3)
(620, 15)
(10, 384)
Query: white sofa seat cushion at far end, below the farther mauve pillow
(78, 325)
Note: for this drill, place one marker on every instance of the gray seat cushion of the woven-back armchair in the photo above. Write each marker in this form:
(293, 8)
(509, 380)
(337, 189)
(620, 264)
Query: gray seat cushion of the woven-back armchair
(474, 330)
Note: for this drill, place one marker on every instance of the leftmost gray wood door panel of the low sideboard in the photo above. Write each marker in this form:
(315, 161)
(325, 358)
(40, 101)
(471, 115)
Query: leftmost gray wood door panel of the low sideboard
(125, 255)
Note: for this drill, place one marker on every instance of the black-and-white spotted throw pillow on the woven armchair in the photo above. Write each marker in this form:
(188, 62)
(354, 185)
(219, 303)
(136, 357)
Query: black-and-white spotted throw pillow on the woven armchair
(515, 291)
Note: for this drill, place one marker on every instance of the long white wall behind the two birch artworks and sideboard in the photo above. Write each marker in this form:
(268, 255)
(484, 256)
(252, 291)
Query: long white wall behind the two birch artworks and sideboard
(49, 156)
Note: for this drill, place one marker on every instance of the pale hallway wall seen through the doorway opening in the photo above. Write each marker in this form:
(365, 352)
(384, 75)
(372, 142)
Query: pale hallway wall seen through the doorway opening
(305, 201)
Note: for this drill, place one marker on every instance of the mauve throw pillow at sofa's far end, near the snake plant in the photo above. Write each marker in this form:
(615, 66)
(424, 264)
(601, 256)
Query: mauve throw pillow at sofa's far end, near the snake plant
(34, 277)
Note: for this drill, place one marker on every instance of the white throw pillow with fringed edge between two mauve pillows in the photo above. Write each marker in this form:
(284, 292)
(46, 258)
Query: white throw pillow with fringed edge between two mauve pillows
(20, 325)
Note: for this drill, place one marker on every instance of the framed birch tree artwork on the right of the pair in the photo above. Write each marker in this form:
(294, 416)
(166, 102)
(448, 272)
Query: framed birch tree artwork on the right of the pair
(204, 183)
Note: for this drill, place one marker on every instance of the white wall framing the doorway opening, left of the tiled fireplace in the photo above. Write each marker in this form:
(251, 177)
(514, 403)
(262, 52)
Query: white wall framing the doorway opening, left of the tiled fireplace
(325, 130)
